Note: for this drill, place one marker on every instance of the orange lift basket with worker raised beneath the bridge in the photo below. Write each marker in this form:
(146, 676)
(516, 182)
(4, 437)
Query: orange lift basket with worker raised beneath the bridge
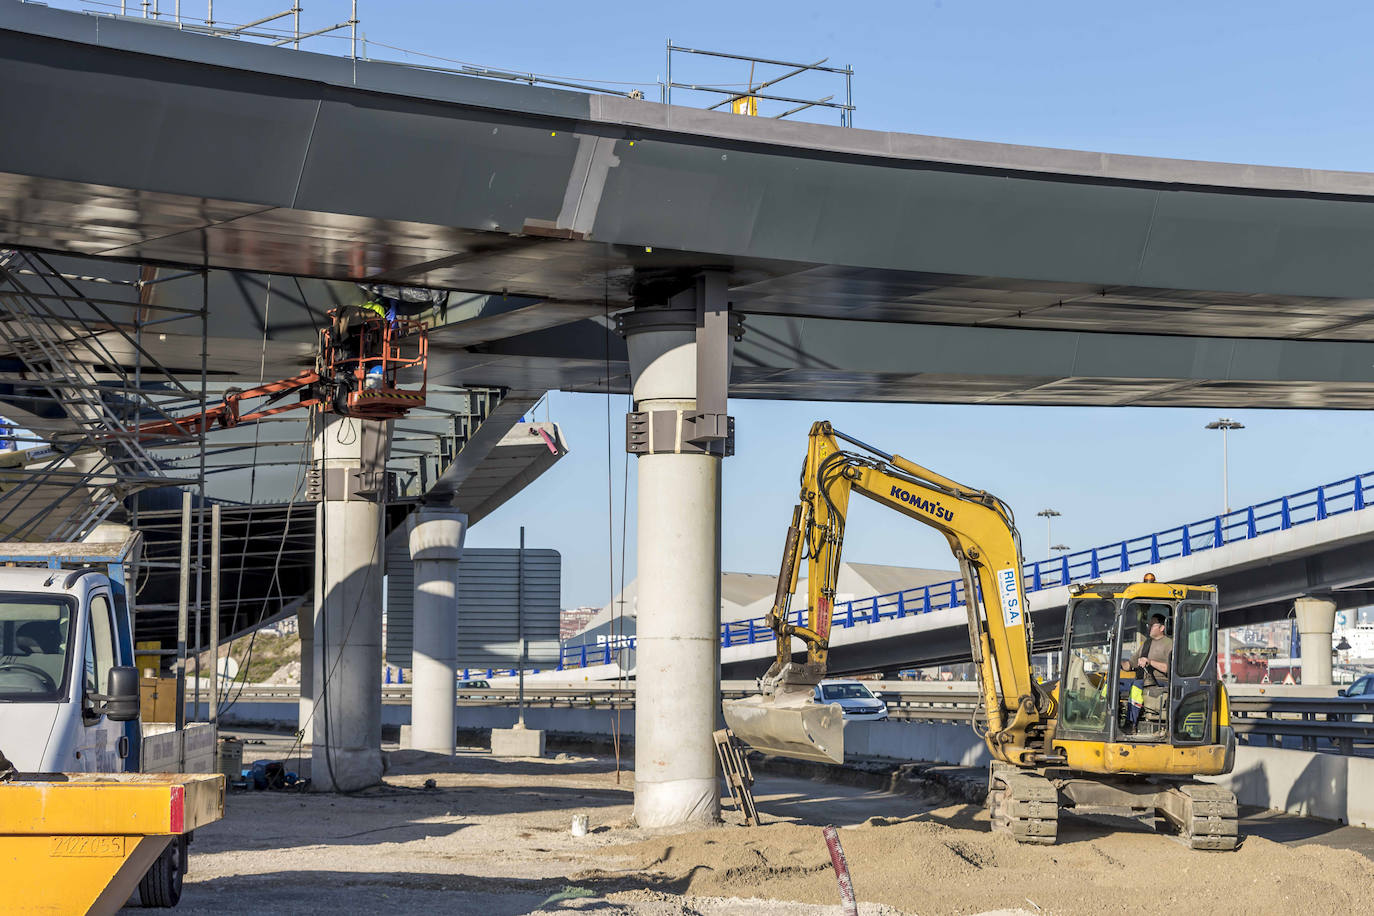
(373, 366)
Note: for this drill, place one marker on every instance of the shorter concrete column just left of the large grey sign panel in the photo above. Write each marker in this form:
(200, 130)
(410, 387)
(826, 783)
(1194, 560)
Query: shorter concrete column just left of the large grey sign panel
(436, 538)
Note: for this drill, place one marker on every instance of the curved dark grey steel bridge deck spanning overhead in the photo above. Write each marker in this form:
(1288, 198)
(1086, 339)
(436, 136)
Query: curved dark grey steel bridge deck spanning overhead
(872, 266)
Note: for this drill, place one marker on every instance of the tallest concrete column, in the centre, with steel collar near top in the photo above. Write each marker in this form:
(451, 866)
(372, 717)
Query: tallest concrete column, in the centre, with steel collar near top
(678, 682)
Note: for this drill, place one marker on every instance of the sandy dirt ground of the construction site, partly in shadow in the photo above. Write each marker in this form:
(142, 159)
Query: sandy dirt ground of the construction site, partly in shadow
(493, 838)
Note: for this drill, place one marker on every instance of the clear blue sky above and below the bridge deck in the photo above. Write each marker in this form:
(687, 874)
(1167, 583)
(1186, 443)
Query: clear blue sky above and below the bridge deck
(1265, 83)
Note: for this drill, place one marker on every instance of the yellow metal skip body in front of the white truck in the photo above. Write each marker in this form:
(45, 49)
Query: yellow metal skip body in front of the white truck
(80, 844)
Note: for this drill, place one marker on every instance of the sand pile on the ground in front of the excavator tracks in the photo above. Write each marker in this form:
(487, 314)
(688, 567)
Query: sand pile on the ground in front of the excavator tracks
(947, 863)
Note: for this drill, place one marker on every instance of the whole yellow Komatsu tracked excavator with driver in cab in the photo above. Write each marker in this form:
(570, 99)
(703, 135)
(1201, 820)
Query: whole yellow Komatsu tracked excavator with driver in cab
(1126, 731)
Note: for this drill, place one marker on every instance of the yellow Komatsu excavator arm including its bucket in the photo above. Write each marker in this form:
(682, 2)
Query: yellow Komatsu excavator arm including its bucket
(983, 538)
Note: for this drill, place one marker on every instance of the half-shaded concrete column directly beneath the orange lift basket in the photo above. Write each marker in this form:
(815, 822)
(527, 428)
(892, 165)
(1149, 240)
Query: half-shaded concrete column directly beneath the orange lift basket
(347, 723)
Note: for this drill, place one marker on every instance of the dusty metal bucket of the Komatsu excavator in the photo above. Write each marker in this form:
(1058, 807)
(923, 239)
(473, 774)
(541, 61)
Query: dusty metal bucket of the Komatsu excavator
(789, 724)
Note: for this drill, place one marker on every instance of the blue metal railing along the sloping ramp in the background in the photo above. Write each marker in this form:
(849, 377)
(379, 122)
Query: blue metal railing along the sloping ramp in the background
(1280, 514)
